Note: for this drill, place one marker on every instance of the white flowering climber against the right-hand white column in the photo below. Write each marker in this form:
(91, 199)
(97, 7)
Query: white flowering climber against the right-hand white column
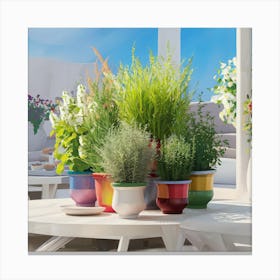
(225, 91)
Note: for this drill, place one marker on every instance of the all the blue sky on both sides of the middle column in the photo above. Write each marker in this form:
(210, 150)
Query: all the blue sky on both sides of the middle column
(208, 46)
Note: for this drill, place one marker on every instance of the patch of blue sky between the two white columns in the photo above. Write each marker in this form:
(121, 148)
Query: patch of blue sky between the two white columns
(208, 47)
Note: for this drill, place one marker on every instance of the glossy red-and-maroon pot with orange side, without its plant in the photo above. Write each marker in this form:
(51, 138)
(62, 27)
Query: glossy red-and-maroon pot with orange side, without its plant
(172, 196)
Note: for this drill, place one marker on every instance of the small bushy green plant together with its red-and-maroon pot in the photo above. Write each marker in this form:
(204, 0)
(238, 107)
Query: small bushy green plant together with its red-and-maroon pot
(174, 168)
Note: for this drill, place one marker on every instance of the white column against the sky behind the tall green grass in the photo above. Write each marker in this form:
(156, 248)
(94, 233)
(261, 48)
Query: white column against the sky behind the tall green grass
(171, 36)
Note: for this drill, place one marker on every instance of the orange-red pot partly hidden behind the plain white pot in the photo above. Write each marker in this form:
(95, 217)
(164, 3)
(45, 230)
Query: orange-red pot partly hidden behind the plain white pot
(104, 191)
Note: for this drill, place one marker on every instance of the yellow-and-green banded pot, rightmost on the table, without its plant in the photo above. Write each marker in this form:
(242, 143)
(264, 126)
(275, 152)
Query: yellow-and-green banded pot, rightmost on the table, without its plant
(201, 189)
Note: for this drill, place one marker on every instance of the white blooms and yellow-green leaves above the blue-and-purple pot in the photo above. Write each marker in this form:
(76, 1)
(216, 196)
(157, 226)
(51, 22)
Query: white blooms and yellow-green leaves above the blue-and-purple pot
(69, 126)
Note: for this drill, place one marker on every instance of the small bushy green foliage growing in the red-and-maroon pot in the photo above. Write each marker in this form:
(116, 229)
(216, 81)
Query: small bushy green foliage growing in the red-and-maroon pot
(176, 159)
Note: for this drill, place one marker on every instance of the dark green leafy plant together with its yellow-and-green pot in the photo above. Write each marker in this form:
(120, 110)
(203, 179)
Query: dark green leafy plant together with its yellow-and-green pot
(208, 149)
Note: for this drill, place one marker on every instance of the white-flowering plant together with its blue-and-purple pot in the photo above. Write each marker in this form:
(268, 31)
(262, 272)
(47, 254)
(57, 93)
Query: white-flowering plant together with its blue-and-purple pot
(69, 127)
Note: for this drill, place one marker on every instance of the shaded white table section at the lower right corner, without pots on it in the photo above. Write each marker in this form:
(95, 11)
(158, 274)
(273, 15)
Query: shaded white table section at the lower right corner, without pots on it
(219, 227)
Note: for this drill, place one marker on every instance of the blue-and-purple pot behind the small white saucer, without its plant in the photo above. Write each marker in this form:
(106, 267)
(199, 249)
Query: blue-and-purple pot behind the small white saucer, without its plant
(82, 189)
